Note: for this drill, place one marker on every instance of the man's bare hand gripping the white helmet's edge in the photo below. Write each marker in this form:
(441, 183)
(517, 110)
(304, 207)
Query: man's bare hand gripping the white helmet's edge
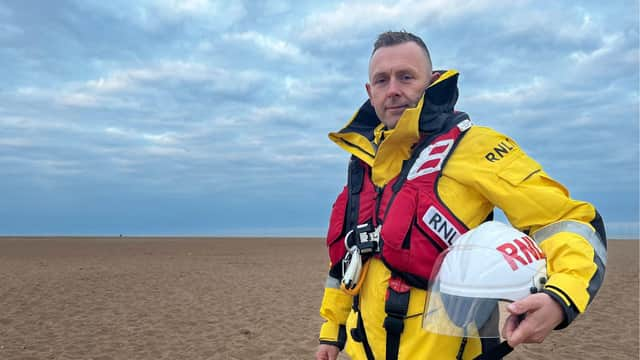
(543, 314)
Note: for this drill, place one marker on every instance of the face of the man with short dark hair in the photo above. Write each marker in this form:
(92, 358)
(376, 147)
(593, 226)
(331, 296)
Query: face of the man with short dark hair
(398, 76)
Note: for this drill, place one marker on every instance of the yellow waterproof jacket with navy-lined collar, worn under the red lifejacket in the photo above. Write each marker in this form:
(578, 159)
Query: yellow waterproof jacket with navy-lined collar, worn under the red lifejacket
(486, 170)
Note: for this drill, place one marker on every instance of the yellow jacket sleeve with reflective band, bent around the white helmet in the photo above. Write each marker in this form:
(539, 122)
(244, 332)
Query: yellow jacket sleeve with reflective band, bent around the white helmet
(570, 232)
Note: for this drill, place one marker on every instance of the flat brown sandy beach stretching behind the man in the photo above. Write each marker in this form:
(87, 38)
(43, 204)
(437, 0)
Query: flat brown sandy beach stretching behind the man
(225, 298)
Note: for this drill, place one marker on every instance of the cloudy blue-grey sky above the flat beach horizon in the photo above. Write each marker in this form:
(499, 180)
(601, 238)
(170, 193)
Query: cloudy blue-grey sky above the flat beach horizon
(205, 117)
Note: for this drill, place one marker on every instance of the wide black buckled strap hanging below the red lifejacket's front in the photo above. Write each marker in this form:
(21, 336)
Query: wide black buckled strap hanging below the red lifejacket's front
(396, 307)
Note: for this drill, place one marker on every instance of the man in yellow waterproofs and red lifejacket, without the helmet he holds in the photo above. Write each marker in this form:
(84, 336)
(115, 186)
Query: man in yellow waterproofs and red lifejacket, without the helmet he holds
(420, 175)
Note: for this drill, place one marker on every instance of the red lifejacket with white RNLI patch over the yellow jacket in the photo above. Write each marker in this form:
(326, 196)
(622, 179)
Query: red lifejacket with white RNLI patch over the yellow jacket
(416, 224)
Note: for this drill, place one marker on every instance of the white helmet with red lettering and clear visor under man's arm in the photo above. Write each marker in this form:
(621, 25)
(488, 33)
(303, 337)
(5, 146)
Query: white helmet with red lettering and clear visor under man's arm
(487, 264)
